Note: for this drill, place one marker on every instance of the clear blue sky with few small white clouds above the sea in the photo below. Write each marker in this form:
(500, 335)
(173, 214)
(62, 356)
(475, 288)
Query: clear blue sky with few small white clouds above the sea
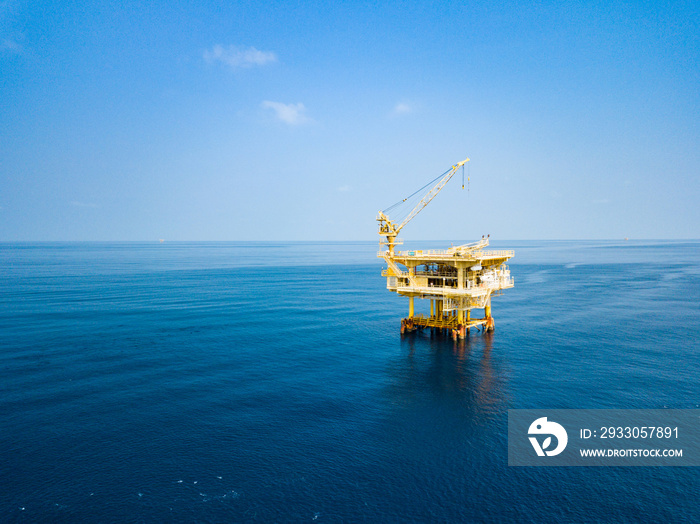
(300, 121)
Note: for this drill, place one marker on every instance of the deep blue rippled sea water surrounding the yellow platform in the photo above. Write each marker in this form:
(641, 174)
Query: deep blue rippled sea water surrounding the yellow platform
(268, 382)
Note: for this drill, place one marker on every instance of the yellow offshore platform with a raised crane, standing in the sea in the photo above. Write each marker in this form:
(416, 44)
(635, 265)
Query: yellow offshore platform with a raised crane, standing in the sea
(455, 280)
